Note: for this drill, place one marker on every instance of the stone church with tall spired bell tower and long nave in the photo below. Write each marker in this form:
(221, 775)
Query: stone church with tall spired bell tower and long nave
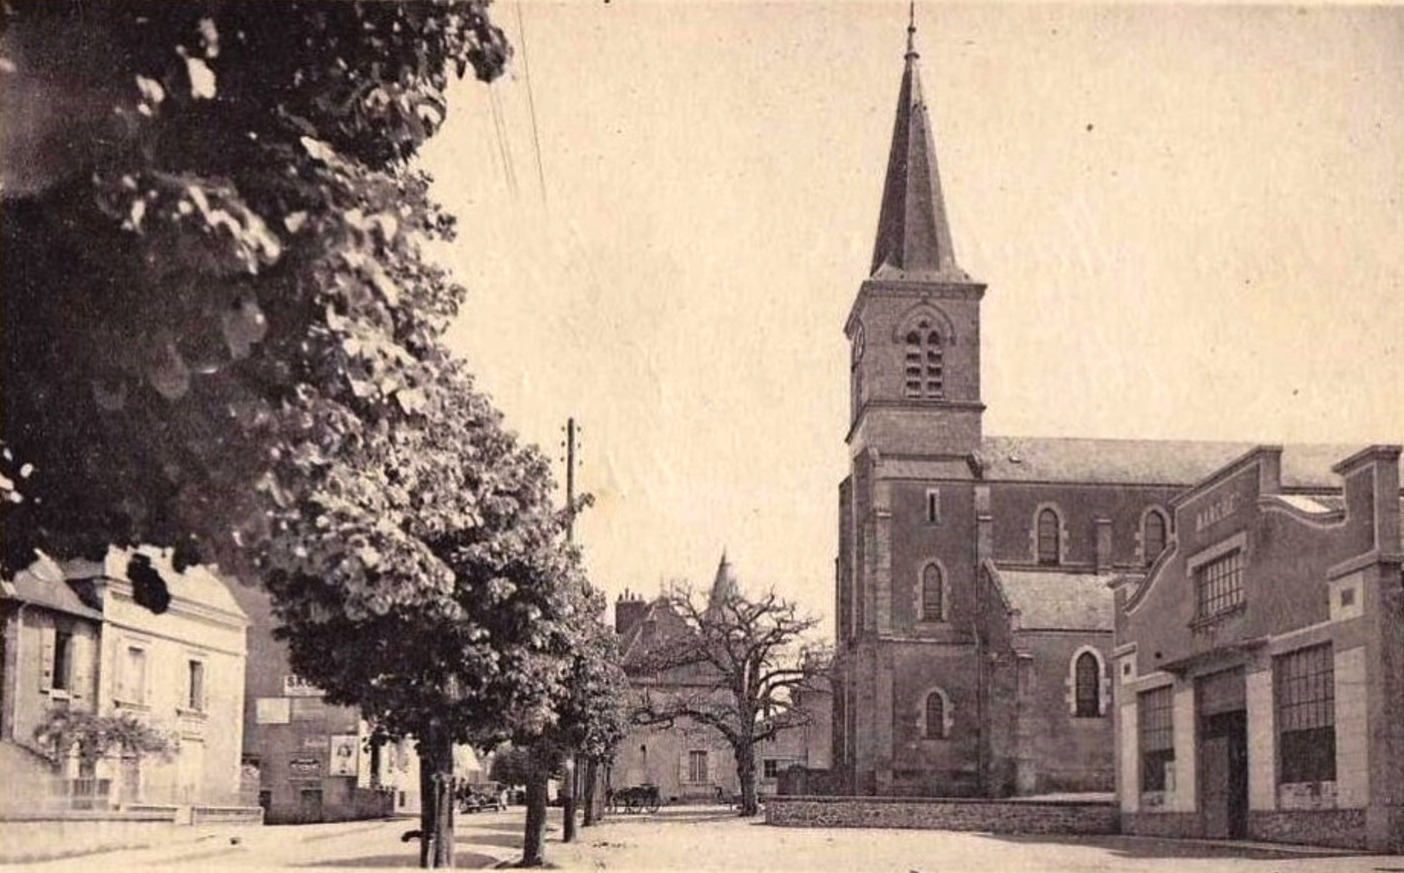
(974, 603)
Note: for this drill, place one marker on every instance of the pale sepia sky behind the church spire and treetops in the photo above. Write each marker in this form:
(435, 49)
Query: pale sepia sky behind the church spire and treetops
(1190, 218)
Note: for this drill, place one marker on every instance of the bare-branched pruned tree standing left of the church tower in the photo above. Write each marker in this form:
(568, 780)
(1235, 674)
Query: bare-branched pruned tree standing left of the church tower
(745, 663)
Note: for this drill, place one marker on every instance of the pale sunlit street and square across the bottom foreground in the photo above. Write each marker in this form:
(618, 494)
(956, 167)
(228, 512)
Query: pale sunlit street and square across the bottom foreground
(708, 839)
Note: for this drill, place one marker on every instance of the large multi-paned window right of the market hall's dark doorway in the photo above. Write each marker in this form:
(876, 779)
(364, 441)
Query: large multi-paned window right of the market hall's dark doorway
(1305, 690)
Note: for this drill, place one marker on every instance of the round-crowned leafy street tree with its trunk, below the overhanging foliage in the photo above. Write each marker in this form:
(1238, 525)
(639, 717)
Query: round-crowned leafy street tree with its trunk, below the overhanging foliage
(471, 646)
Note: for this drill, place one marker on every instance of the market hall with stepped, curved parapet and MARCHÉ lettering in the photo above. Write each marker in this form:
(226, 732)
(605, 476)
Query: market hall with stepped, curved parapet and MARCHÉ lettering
(1260, 662)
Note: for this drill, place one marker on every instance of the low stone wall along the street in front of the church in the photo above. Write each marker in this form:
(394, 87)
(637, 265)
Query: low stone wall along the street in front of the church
(946, 815)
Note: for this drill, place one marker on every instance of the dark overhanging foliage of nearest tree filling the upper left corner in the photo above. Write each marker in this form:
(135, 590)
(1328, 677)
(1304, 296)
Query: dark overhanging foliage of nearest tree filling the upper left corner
(213, 260)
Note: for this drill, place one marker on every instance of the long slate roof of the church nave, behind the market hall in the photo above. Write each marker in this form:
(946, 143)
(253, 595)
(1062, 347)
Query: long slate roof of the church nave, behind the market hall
(1169, 462)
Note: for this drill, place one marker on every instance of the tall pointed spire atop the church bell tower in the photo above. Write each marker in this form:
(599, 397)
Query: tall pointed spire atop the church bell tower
(913, 232)
